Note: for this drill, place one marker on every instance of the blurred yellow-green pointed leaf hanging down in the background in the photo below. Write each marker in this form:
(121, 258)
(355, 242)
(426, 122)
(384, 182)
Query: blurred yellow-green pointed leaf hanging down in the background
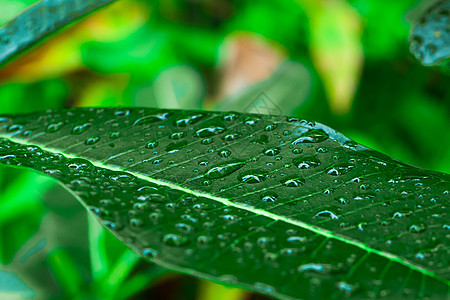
(335, 47)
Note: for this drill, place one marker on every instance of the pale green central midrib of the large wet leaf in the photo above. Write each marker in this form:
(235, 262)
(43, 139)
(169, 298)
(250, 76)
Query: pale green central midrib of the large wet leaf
(256, 211)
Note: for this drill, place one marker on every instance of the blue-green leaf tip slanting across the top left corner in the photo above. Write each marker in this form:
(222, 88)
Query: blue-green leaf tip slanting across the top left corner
(40, 20)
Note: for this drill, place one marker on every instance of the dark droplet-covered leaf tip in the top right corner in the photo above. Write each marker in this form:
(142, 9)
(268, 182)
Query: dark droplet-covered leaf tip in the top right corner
(430, 37)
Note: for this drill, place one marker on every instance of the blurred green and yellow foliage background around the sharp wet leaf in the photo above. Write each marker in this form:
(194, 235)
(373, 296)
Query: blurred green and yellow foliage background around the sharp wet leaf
(342, 63)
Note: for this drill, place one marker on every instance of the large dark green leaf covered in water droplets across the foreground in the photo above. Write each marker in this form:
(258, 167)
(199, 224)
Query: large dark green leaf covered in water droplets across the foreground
(285, 207)
